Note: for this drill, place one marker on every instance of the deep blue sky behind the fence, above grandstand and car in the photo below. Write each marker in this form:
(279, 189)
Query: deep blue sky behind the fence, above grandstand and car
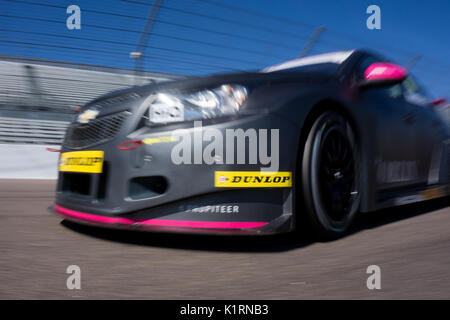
(210, 36)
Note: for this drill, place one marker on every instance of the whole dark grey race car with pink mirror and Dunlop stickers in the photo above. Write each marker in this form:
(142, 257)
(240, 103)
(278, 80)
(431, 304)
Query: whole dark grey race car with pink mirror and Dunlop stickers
(313, 140)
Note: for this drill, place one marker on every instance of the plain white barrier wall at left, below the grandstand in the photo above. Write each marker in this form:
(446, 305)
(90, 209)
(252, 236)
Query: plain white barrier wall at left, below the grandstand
(26, 161)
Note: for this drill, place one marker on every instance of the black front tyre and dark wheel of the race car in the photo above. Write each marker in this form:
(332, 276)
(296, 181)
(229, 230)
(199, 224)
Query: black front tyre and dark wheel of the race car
(330, 175)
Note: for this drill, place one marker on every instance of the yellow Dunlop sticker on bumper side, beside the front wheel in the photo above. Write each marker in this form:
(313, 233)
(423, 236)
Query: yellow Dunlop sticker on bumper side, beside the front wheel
(252, 179)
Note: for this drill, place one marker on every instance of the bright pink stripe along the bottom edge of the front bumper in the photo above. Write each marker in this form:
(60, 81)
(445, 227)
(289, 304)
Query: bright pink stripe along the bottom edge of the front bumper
(157, 222)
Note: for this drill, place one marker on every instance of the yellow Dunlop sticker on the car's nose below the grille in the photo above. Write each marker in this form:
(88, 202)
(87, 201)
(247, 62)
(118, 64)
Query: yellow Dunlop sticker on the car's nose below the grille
(81, 161)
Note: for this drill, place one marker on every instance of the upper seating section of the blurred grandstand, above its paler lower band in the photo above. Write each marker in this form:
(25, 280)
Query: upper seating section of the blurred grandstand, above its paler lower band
(32, 84)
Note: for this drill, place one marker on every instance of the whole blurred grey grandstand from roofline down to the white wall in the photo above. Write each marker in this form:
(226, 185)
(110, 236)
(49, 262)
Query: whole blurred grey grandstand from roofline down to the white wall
(38, 98)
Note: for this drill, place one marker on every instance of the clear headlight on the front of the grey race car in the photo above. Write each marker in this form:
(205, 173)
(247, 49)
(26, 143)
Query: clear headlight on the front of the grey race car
(206, 104)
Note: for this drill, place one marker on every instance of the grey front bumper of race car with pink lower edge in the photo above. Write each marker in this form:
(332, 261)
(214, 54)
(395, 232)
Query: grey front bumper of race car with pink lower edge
(143, 189)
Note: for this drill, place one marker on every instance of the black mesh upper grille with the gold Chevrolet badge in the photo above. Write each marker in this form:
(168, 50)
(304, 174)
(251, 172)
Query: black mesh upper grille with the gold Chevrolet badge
(96, 131)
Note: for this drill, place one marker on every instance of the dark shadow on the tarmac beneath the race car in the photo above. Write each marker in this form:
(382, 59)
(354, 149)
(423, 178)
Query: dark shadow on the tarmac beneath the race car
(268, 243)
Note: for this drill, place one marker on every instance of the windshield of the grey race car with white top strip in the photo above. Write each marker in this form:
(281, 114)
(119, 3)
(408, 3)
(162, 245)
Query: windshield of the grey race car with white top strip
(328, 62)
